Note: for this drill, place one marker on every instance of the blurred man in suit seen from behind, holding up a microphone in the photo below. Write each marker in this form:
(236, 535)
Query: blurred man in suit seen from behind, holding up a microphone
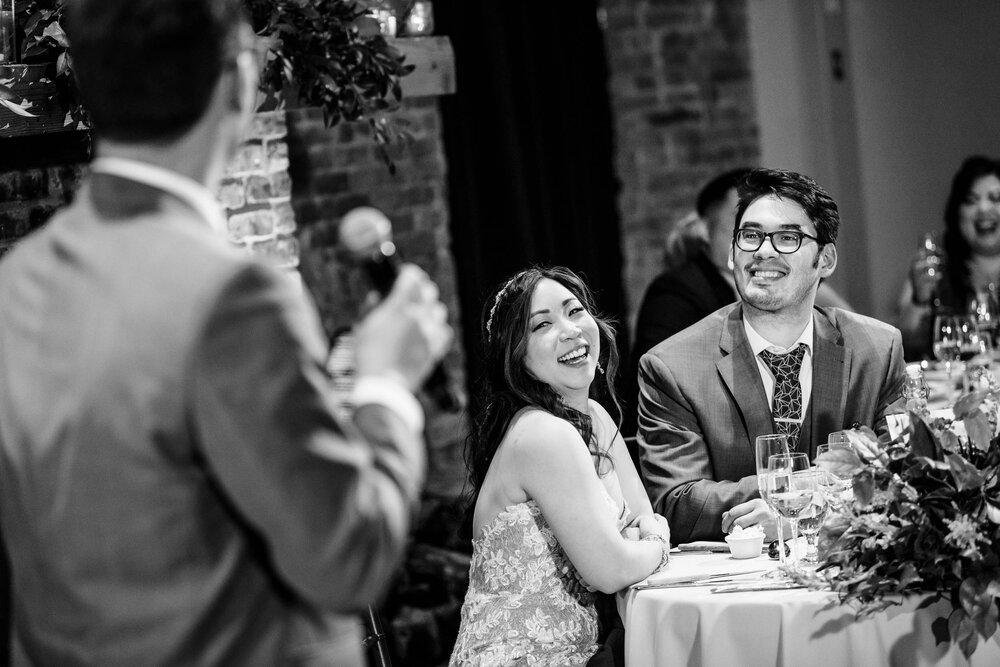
(174, 485)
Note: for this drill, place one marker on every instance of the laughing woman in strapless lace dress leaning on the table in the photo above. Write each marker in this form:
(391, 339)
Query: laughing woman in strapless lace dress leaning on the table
(553, 485)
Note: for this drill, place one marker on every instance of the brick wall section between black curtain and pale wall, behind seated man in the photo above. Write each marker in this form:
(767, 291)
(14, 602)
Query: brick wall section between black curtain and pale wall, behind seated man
(682, 99)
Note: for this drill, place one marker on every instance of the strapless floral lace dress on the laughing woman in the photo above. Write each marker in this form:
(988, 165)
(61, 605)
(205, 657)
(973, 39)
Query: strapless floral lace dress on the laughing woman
(526, 603)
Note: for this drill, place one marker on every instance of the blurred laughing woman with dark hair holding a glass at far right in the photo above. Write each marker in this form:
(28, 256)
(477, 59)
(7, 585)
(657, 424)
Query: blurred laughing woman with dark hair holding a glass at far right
(971, 248)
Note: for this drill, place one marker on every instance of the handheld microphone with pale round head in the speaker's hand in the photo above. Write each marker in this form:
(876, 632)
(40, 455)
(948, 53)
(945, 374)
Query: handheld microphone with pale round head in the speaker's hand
(366, 233)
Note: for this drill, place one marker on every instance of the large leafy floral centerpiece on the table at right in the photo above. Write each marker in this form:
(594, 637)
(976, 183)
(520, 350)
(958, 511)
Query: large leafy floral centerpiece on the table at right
(924, 519)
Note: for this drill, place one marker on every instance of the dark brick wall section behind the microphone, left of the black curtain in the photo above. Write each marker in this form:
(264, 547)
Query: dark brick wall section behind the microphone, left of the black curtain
(335, 169)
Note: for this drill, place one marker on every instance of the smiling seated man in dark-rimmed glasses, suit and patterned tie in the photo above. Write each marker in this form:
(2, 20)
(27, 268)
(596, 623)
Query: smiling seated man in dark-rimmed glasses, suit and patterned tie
(773, 362)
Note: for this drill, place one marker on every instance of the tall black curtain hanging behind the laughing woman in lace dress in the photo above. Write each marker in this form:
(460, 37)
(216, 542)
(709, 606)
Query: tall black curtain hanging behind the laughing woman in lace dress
(528, 139)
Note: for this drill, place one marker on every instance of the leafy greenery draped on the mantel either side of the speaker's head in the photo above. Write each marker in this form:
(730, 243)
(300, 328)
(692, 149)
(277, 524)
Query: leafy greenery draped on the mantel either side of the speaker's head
(323, 53)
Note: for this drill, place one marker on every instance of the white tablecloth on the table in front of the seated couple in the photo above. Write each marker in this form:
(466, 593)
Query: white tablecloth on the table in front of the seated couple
(693, 626)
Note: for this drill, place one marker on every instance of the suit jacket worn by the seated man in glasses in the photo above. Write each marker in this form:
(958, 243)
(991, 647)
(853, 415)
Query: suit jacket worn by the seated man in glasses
(702, 405)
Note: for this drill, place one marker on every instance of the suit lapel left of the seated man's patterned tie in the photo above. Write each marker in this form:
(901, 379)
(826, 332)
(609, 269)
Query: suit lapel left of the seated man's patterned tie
(738, 369)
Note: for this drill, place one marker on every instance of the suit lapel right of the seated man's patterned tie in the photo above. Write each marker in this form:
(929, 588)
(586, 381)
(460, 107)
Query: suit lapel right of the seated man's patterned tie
(831, 370)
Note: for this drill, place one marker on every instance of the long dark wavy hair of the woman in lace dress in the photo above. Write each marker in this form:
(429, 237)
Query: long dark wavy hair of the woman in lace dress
(506, 386)
